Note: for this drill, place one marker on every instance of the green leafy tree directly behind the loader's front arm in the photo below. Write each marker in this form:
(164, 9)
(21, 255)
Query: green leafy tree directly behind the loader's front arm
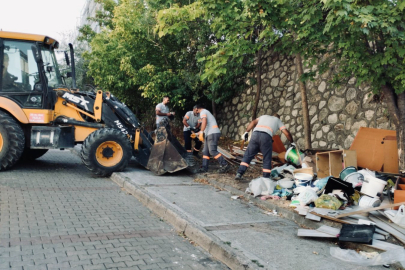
(130, 60)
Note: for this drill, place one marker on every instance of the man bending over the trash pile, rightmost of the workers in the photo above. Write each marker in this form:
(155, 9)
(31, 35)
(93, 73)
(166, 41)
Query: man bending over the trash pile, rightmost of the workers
(262, 140)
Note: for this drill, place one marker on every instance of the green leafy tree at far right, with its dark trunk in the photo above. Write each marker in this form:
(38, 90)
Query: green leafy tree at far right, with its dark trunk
(368, 40)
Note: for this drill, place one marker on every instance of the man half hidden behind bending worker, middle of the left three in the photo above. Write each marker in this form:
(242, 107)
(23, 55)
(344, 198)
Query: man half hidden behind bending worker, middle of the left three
(192, 124)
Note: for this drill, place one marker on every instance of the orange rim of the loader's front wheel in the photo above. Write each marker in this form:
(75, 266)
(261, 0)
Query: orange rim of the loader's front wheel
(109, 154)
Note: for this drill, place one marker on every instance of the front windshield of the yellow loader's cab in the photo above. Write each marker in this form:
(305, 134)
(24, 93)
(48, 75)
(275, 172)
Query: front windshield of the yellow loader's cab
(51, 68)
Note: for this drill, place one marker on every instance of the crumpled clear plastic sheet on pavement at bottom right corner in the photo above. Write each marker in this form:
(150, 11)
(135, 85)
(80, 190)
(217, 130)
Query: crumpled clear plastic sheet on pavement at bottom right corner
(351, 256)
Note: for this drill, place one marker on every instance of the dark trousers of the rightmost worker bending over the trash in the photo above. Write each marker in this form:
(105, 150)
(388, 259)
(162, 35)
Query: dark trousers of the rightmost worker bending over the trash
(260, 142)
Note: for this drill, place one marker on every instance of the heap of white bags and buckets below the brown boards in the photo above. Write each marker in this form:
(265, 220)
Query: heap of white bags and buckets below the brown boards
(352, 187)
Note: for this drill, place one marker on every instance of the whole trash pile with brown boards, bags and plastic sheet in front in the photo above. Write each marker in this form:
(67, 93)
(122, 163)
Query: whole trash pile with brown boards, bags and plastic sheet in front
(360, 189)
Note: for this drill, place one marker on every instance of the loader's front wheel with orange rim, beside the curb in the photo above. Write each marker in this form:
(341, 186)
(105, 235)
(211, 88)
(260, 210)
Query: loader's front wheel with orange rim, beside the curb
(97, 159)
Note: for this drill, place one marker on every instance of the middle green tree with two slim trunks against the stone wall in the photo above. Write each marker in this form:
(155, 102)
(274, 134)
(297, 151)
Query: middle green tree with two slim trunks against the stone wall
(246, 28)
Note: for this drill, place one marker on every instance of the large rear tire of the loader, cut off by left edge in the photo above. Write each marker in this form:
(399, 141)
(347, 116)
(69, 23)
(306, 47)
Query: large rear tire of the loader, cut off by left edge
(12, 141)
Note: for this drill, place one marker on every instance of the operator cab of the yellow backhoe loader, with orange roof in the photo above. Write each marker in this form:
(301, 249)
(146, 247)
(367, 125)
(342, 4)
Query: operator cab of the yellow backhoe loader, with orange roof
(29, 72)
